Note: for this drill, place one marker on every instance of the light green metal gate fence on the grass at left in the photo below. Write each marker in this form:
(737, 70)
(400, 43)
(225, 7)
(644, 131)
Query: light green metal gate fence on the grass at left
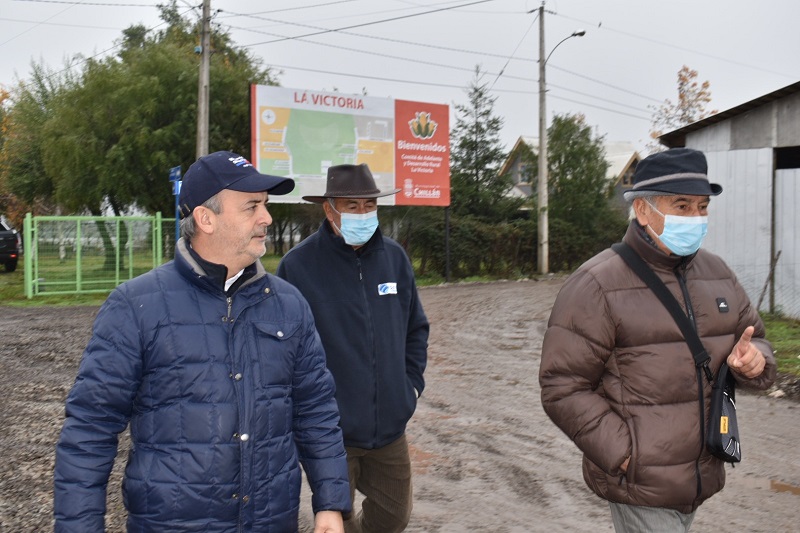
(73, 255)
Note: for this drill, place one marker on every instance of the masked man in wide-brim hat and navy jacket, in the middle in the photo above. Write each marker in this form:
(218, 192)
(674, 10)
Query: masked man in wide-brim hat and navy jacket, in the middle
(362, 292)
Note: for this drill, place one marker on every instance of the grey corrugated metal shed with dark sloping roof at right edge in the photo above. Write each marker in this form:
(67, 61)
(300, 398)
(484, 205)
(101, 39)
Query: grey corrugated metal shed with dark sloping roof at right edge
(753, 151)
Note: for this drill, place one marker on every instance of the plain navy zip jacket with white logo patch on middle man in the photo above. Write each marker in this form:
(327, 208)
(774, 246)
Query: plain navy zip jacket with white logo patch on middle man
(373, 327)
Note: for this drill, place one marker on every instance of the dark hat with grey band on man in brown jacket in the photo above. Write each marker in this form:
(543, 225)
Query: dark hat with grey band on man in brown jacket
(672, 172)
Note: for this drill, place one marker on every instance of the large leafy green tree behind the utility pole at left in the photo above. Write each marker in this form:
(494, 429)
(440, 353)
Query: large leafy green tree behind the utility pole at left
(110, 137)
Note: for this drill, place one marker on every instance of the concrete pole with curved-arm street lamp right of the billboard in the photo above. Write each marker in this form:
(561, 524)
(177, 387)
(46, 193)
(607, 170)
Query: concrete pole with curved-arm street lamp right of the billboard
(542, 230)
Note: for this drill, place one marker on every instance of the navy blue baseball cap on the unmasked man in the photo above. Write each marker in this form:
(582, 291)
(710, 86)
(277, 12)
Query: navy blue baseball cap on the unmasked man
(225, 170)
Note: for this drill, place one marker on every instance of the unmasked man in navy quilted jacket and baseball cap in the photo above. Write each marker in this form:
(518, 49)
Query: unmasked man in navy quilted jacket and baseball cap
(219, 370)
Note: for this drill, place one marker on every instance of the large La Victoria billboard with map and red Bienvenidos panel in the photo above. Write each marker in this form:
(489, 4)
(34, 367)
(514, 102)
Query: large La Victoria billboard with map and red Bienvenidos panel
(300, 133)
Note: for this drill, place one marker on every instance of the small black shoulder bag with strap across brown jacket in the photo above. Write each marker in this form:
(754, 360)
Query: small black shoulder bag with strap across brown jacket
(722, 436)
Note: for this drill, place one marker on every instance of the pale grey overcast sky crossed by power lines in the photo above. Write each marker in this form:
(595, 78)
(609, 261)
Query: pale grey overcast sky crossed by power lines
(427, 50)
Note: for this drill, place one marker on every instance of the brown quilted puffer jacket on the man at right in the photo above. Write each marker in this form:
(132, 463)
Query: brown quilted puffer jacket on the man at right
(618, 378)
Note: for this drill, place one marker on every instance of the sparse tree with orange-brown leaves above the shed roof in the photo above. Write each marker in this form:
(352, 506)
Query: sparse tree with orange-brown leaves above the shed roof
(693, 97)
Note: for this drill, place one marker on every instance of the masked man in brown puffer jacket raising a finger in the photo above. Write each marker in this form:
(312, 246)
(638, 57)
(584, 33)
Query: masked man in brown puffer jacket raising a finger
(617, 375)
